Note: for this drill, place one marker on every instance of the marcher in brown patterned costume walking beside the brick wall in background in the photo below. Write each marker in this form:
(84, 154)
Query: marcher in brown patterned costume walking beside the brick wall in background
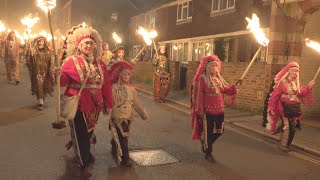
(161, 78)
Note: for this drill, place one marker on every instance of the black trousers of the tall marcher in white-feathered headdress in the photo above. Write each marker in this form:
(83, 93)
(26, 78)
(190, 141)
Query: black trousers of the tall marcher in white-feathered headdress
(82, 140)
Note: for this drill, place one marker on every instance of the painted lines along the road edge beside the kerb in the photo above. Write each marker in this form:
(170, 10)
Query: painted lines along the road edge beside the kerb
(297, 154)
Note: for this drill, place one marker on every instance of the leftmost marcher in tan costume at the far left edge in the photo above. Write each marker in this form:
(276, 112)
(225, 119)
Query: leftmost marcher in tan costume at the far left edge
(11, 57)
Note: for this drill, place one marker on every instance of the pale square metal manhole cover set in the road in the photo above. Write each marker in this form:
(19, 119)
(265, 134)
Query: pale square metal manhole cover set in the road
(151, 157)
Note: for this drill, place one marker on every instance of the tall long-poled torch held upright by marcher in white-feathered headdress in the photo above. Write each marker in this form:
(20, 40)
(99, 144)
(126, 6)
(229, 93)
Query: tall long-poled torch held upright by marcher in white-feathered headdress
(47, 6)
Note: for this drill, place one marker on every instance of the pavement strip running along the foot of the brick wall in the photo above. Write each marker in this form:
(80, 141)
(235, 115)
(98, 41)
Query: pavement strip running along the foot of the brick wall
(307, 139)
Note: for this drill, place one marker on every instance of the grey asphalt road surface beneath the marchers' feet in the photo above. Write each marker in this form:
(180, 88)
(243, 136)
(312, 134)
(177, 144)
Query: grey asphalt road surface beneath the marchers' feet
(31, 149)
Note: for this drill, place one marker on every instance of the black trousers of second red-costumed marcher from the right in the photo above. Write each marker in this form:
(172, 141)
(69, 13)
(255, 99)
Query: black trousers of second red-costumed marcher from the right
(215, 129)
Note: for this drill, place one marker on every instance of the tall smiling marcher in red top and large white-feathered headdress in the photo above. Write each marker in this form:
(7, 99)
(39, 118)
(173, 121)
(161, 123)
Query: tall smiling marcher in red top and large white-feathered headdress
(83, 46)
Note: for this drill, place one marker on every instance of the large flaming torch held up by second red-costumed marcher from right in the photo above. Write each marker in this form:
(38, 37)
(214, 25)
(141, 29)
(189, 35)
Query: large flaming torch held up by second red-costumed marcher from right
(254, 27)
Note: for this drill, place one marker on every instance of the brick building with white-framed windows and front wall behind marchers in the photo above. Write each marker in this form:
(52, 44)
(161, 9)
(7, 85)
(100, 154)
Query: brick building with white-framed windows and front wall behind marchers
(192, 29)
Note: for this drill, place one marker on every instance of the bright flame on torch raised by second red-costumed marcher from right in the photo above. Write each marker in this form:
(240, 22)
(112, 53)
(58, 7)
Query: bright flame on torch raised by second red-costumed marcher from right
(254, 26)
